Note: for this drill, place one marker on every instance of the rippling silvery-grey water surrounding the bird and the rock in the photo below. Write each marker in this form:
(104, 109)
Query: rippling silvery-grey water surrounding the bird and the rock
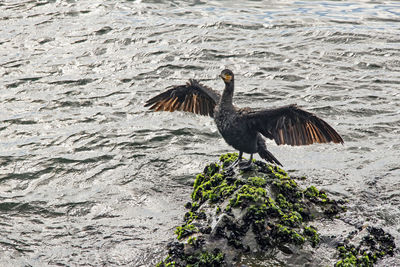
(89, 177)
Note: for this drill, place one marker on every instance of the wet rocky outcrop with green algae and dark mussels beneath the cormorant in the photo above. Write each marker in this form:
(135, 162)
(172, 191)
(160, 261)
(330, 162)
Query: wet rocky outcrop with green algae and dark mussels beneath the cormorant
(261, 216)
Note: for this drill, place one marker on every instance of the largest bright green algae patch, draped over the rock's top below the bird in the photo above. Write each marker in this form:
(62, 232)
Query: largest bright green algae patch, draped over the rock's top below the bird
(285, 208)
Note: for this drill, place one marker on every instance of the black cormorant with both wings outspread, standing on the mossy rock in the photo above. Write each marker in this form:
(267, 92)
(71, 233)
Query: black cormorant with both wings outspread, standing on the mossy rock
(242, 128)
